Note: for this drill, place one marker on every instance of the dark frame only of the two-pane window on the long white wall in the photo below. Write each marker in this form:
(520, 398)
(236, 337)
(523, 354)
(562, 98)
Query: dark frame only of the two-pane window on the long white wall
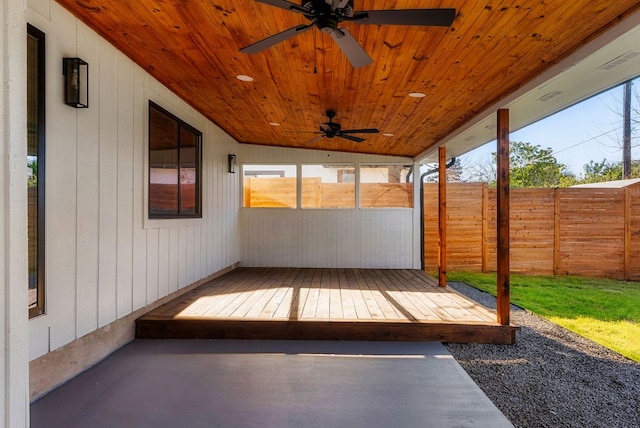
(181, 124)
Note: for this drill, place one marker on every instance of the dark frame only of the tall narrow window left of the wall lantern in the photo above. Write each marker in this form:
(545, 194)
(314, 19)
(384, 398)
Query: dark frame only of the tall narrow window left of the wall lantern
(39, 36)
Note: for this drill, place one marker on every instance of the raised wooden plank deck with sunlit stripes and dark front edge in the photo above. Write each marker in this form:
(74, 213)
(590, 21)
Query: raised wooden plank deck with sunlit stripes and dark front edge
(325, 304)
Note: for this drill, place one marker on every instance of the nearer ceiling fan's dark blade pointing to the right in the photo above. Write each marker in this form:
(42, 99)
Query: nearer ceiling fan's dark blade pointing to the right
(431, 17)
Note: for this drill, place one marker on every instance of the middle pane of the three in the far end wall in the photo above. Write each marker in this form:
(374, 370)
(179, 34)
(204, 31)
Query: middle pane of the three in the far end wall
(328, 186)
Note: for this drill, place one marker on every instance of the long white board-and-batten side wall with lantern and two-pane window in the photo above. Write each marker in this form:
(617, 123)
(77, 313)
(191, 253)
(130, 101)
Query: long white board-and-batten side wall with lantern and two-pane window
(104, 260)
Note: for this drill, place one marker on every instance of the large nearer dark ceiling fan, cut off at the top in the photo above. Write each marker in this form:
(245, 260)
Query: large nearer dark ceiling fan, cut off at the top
(327, 14)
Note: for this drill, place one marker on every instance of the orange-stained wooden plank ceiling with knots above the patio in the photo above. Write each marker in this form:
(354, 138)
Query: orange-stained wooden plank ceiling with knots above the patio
(491, 49)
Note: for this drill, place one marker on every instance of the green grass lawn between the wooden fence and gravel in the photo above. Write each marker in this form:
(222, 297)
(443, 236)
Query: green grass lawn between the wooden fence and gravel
(604, 310)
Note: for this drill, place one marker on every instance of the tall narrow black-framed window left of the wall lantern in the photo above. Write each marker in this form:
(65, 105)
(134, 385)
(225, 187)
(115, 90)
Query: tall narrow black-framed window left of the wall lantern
(35, 168)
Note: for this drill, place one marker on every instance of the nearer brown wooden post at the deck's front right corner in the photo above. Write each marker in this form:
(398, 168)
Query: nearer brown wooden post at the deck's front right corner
(502, 253)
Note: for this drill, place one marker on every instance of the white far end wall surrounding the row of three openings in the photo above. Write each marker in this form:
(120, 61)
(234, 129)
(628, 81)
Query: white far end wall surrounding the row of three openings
(363, 238)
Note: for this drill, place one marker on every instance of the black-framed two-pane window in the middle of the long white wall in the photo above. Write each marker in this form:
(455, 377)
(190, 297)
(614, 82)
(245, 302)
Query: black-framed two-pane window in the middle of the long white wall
(175, 165)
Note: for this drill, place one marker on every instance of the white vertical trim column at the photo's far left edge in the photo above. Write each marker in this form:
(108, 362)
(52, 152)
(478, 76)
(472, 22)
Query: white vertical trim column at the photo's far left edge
(14, 394)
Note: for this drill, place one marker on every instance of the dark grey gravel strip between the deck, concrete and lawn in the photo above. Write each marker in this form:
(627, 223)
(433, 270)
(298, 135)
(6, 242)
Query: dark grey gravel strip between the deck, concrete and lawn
(551, 377)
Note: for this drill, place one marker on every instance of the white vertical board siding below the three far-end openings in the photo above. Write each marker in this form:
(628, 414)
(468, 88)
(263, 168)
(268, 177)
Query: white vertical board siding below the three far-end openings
(327, 238)
